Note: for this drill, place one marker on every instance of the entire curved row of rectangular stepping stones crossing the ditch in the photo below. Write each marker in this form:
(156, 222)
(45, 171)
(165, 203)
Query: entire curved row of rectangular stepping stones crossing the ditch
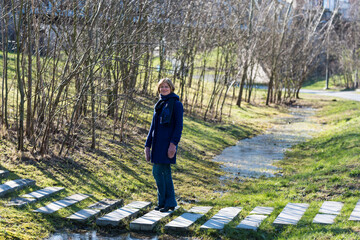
(290, 215)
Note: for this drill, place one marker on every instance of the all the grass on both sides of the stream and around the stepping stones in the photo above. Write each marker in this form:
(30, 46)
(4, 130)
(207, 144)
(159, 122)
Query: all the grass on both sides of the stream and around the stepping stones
(325, 168)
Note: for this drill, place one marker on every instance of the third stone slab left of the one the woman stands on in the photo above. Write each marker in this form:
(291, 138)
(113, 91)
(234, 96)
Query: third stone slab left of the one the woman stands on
(66, 202)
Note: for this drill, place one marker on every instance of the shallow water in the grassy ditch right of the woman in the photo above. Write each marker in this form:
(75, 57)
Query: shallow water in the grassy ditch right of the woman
(254, 157)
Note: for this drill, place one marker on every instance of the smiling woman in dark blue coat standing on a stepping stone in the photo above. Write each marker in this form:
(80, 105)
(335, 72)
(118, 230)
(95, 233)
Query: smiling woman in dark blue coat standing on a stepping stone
(163, 138)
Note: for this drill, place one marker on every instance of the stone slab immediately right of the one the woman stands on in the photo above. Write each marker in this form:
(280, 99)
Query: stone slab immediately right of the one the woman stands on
(184, 221)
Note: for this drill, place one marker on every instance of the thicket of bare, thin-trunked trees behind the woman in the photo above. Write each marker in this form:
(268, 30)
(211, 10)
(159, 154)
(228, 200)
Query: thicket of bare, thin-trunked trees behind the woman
(73, 69)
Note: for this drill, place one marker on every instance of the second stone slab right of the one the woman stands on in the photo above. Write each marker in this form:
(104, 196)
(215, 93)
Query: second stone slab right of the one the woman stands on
(223, 217)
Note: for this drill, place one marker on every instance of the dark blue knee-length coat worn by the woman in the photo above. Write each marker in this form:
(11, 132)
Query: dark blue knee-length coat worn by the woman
(161, 135)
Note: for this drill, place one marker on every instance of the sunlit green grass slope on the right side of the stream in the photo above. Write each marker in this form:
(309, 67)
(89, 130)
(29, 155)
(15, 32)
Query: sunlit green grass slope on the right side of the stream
(324, 168)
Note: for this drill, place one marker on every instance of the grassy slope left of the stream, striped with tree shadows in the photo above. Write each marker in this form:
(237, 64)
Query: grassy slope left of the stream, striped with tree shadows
(120, 171)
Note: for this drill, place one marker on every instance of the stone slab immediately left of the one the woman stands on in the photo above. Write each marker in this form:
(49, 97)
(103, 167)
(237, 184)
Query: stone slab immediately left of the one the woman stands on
(114, 218)
